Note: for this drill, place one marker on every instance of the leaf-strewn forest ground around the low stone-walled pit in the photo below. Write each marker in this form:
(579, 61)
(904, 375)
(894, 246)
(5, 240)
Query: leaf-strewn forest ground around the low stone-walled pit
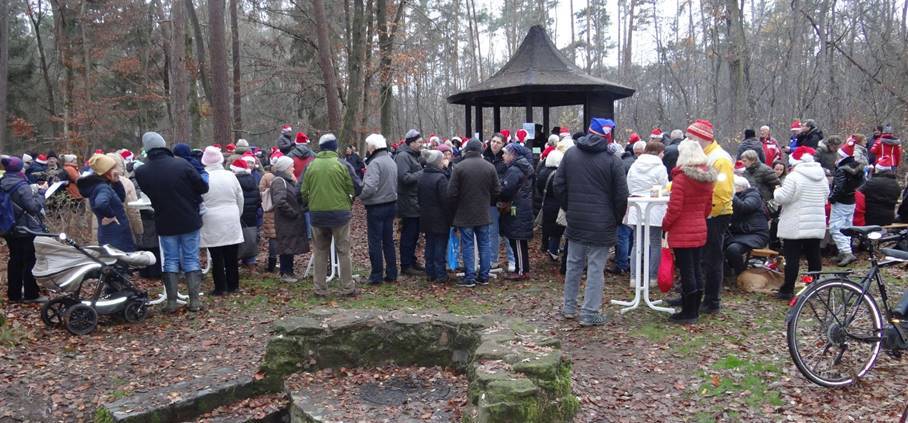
(733, 366)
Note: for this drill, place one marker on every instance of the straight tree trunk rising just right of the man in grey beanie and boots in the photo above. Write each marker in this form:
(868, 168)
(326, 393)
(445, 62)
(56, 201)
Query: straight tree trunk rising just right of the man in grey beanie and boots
(179, 81)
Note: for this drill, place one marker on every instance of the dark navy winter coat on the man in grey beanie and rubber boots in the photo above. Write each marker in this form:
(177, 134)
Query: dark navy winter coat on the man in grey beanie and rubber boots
(175, 190)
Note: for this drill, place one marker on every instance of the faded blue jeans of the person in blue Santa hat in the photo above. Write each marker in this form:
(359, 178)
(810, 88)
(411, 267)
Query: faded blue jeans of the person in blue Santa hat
(594, 257)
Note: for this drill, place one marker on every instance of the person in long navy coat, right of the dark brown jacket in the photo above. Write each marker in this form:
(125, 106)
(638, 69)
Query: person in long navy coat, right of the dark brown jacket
(517, 215)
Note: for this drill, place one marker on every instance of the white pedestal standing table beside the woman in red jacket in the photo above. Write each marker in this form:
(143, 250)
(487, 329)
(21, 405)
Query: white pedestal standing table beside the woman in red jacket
(642, 206)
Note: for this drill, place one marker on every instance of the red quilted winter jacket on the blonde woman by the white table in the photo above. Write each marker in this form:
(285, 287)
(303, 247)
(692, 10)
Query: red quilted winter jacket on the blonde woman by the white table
(690, 203)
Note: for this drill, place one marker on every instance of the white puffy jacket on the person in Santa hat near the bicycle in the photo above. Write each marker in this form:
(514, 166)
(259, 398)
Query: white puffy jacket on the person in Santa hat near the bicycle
(803, 200)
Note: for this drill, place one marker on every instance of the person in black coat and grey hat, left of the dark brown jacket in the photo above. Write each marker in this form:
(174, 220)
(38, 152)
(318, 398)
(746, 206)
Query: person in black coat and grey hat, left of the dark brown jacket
(434, 219)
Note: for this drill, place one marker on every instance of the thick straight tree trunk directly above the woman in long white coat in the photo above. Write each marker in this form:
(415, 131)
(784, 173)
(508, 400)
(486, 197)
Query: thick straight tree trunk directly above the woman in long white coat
(219, 90)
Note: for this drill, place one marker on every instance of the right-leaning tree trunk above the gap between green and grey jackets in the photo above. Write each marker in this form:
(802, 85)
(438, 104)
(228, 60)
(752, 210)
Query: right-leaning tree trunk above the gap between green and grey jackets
(354, 74)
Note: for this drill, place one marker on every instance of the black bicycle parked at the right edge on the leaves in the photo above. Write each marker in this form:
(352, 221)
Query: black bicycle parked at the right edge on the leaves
(835, 327)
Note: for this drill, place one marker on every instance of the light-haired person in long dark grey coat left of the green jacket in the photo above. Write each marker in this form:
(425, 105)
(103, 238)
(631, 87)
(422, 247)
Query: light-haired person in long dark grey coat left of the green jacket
(289, 216)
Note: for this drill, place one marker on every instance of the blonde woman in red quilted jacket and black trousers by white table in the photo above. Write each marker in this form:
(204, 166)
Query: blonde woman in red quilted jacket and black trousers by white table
(685, 223)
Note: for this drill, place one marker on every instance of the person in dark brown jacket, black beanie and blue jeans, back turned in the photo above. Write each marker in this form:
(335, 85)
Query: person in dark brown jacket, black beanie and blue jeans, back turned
(473, 186)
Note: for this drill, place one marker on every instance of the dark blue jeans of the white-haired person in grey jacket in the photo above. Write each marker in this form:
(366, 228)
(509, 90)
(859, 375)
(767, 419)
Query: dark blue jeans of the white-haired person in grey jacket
(380, 227)
